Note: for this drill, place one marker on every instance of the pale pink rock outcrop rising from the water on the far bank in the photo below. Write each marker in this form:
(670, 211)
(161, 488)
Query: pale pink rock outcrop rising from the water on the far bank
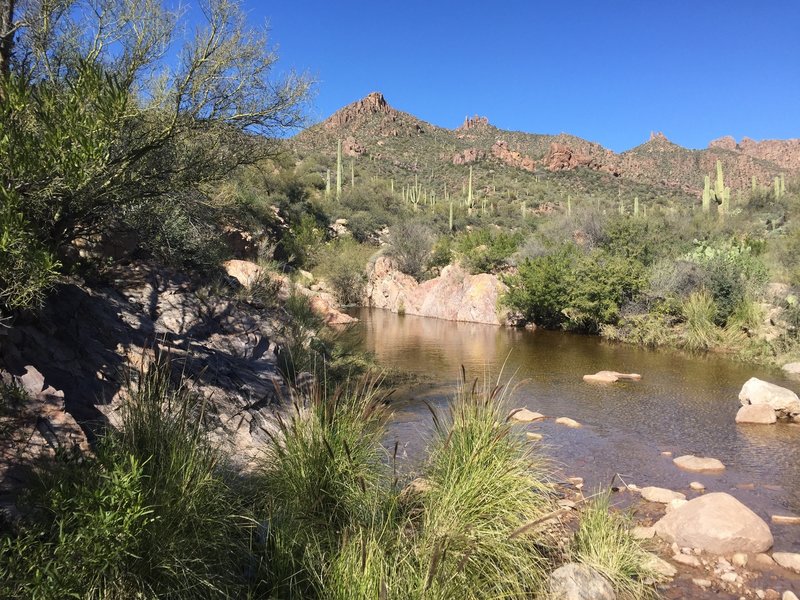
(455, 295)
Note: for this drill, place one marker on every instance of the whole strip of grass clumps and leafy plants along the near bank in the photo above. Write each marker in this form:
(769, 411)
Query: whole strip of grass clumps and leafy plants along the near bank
(158, 513)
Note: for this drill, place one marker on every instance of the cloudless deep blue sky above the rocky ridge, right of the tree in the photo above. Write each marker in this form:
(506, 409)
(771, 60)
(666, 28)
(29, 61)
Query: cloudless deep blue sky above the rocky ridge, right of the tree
(610, 71)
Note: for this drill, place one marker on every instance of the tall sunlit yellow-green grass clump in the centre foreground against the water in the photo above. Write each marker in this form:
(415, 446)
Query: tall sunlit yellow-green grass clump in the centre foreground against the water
(485, 486)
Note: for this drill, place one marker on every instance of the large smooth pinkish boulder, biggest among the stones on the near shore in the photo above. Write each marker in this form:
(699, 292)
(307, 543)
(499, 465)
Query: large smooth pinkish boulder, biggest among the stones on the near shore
(717, 523)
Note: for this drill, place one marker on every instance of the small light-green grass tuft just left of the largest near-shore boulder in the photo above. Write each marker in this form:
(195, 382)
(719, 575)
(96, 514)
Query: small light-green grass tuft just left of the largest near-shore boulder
(604, 543)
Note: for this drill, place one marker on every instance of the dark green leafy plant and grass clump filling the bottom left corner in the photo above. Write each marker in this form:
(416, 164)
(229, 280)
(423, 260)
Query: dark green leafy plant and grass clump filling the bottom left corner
(150, 516)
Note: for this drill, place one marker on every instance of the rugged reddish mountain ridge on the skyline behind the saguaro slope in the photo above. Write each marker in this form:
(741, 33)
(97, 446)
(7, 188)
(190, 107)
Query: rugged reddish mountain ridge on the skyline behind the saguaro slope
(400, 145)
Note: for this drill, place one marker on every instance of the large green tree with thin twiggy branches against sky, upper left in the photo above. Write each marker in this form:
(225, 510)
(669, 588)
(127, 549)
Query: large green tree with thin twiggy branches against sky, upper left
(103, 121)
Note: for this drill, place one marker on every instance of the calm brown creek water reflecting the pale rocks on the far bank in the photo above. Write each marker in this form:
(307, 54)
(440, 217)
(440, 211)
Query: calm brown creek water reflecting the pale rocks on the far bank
(683, 405)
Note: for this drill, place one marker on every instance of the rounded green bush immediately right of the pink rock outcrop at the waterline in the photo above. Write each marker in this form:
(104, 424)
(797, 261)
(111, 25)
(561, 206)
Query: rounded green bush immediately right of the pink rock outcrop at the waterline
(540, 289)
